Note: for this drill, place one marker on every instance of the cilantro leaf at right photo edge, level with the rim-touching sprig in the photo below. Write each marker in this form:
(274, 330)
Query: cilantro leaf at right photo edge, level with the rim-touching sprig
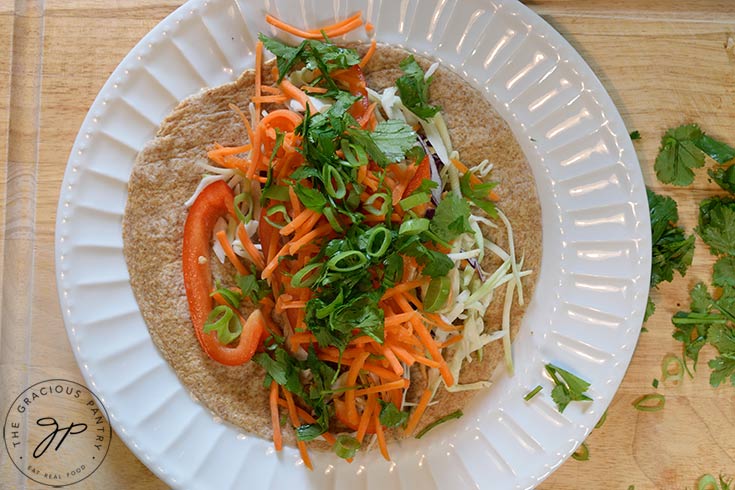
(717, 225)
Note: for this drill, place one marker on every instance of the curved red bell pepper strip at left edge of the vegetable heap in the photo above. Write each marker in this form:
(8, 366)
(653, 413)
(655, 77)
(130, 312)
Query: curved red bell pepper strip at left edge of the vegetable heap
(212, 203)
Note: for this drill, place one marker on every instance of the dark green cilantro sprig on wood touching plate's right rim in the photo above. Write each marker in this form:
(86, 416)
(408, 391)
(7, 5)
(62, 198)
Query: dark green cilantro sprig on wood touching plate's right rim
(672, 249)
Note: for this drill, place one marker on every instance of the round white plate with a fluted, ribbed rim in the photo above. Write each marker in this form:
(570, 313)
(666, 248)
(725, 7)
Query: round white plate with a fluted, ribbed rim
(592, 288)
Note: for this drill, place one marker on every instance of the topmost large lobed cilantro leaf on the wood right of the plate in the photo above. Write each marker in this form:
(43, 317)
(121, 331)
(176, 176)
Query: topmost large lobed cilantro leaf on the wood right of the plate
(678, 155)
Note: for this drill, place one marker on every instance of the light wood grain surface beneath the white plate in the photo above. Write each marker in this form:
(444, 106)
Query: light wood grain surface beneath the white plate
(663, 62)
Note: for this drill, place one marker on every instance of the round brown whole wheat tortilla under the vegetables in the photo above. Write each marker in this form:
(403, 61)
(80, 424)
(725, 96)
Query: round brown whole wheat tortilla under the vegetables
(165, 176)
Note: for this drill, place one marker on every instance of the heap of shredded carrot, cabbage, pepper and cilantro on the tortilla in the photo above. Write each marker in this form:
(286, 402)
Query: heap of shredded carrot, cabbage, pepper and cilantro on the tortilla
(358, 258)
